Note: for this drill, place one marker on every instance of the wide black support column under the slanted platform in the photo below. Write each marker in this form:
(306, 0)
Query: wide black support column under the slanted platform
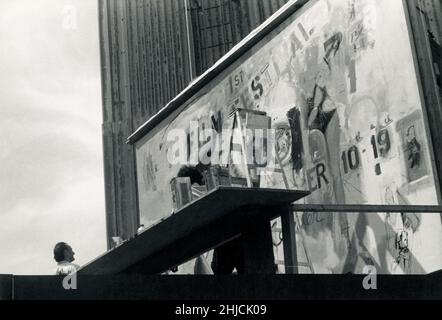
(257, 245)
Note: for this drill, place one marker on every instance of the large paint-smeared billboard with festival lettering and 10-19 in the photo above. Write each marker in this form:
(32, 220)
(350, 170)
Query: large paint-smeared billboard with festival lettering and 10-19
(338, 82)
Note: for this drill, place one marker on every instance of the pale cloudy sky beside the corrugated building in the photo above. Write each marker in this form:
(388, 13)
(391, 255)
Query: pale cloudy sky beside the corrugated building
(51, 170)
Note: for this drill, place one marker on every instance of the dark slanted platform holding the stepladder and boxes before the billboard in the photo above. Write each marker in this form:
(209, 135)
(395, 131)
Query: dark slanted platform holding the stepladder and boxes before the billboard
(178, 238)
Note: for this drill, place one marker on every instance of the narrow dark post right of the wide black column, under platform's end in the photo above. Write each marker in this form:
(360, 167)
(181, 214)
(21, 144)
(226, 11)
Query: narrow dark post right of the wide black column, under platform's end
(289, 241)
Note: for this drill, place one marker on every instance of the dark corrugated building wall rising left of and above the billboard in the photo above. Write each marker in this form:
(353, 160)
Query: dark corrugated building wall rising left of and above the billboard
(150, 51)
